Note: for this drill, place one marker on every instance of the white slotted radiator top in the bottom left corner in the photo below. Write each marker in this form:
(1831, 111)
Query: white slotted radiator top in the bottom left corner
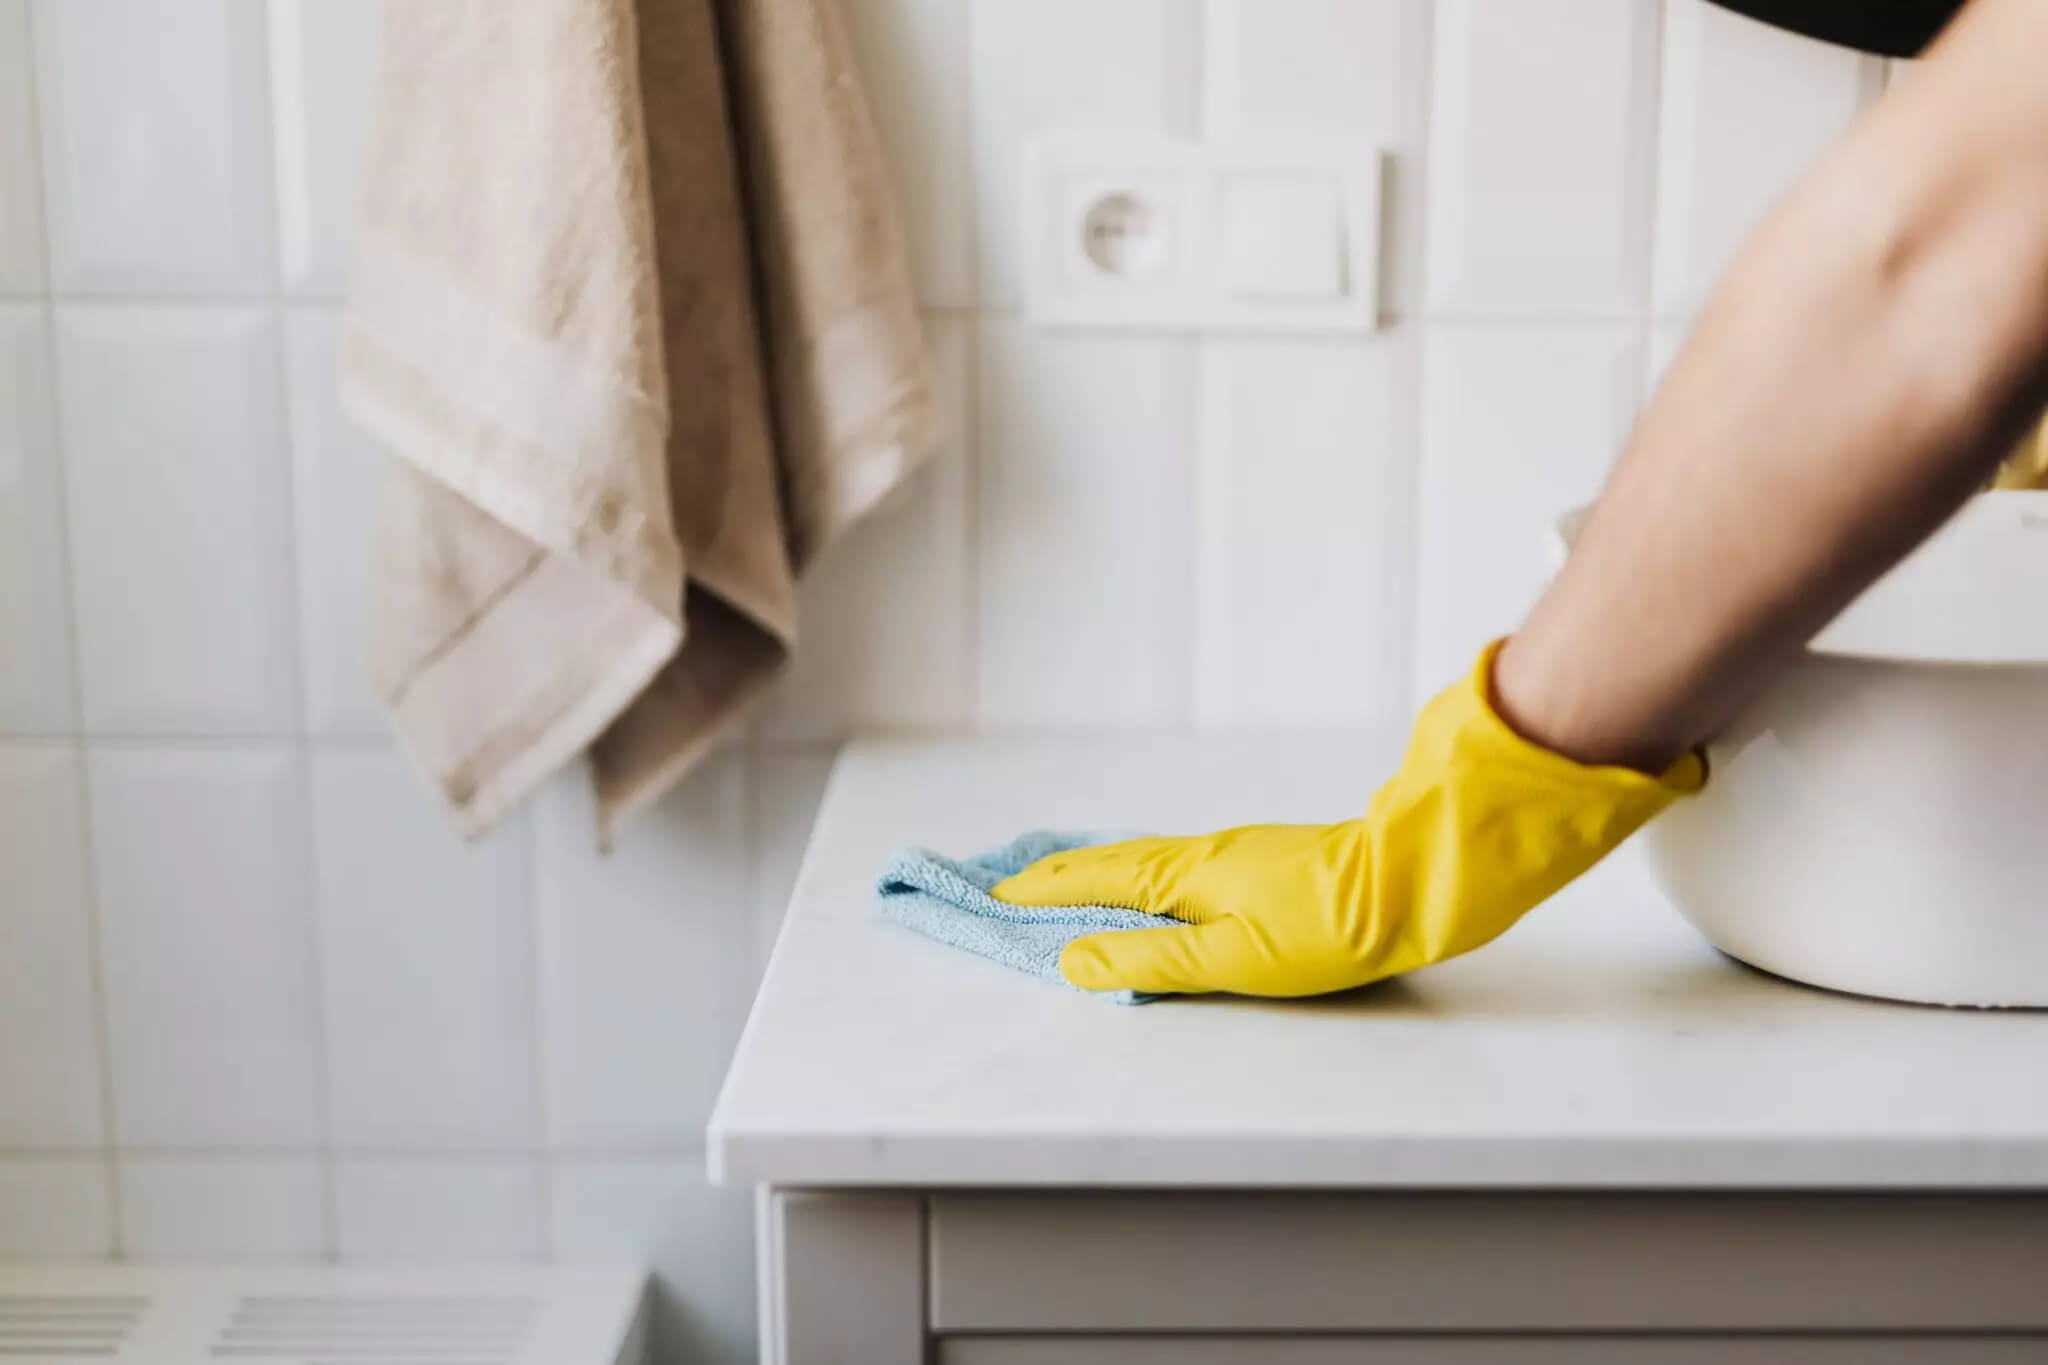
(134, 1315)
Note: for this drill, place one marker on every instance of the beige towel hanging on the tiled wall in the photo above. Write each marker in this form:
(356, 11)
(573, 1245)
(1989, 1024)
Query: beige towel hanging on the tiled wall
(632, 314)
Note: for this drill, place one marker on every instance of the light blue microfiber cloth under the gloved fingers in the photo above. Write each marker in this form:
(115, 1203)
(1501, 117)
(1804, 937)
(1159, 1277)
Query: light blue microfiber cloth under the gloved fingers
(949, 899)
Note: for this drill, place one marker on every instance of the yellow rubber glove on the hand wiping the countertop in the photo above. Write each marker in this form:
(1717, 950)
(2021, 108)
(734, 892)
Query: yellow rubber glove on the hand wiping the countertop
(1476, 830)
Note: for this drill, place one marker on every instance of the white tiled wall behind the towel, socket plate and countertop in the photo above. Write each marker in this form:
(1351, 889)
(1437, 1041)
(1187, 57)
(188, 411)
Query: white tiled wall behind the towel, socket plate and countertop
(259, 1002)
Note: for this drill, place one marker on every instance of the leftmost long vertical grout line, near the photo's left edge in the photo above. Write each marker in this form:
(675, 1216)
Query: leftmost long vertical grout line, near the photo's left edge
(81, 768)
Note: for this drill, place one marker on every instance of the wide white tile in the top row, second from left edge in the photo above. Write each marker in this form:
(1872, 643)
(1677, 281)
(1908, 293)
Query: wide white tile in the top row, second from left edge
(155, 144)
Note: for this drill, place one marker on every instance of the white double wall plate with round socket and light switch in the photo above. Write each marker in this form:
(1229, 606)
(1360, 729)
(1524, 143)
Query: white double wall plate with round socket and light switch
(1146, 232)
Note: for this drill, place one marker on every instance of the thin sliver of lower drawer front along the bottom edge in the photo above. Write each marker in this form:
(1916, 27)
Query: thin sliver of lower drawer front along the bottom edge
(1496, 1352)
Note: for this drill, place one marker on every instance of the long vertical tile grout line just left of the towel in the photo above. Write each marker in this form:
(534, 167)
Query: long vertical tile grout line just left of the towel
(271, 52)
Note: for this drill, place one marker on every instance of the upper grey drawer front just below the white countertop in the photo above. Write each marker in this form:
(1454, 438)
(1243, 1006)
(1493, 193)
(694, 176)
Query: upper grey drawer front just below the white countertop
(1488, 1264)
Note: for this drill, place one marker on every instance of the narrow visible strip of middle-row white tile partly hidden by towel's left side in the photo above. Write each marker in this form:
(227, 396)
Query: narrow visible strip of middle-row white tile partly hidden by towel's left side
(335, 488)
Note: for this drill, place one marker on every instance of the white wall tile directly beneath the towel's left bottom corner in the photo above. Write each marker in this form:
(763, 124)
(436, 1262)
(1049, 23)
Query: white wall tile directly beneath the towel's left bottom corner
(427, 951)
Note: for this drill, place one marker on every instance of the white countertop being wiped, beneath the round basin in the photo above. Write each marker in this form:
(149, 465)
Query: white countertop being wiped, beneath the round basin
(1598, 1045)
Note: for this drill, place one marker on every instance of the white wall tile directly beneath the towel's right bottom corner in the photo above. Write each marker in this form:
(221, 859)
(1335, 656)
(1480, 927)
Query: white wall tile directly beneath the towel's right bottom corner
(646, 959)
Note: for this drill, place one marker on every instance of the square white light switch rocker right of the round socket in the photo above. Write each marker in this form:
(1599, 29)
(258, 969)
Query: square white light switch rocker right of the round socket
(1283, 236)
